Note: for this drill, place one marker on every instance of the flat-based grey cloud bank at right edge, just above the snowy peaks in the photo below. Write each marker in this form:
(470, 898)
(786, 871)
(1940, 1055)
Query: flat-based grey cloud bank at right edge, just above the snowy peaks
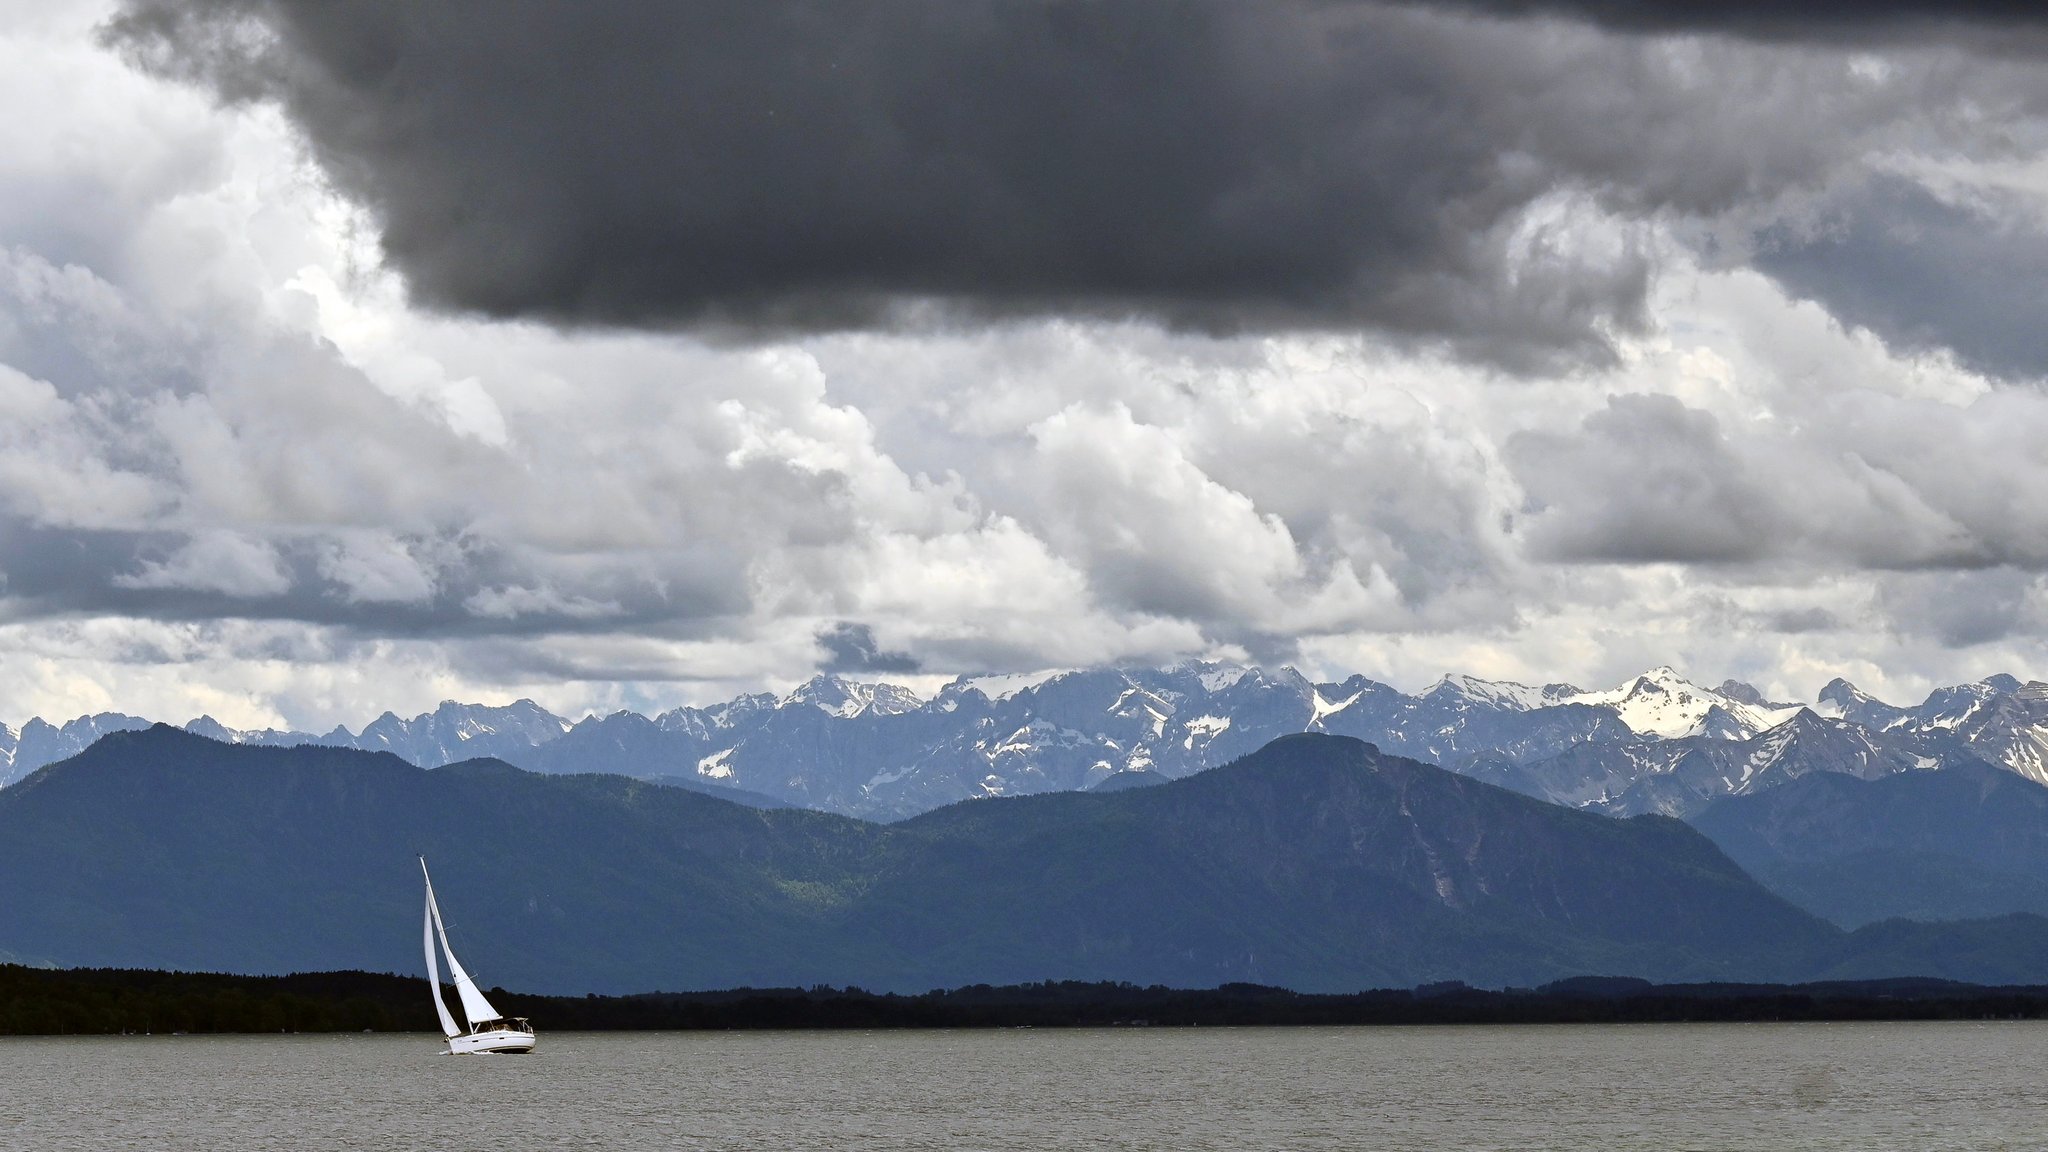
(1863, 483)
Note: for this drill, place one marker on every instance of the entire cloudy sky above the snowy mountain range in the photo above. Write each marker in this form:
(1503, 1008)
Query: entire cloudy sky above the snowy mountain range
(626, 356)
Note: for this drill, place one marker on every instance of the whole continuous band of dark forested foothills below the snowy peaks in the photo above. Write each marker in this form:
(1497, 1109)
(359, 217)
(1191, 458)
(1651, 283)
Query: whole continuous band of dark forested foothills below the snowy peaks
(1316, 862)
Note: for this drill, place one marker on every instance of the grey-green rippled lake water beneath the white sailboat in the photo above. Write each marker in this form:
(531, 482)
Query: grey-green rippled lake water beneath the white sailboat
(1609, 1087)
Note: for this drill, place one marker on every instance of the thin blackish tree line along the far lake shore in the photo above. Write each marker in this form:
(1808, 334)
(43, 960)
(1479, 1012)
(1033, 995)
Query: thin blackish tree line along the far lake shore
(38, 1001)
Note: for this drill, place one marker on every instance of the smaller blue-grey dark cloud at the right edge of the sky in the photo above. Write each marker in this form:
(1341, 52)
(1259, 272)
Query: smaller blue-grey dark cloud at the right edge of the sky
(1926, 274)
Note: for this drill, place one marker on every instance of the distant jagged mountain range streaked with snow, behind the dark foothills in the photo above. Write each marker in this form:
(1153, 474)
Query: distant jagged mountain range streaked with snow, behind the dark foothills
(882, 751)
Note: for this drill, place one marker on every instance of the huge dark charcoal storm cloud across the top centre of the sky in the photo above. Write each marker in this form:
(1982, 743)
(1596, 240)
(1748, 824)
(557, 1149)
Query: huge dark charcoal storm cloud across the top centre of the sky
(822, 165)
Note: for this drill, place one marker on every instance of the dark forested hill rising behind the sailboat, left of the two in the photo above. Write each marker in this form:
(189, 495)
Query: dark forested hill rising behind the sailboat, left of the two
(159, 850)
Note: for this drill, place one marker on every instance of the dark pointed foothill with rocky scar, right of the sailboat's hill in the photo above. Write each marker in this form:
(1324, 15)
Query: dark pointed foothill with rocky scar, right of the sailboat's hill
(1322, 864)
